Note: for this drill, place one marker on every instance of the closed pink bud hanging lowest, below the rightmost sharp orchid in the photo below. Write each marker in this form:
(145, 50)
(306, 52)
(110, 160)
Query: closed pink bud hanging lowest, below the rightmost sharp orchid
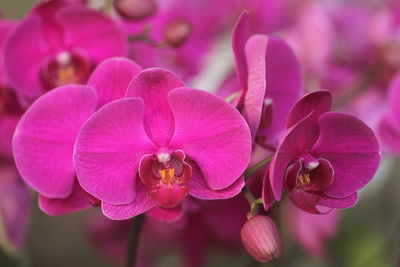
(261, 238)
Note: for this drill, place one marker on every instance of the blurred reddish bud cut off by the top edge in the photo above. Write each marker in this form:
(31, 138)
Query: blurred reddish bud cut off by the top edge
(135, 9)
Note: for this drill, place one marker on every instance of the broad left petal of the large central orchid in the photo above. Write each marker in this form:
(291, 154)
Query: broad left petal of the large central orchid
(109, 148)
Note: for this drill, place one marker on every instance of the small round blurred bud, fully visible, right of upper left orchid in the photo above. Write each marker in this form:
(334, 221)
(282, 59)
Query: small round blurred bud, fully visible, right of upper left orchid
(176, 32)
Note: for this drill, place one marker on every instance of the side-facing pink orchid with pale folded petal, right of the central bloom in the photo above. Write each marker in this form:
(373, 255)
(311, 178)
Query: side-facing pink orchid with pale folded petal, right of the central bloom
(268, 82)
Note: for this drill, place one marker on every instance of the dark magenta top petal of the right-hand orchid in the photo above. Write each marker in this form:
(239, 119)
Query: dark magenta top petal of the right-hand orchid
(319, 102)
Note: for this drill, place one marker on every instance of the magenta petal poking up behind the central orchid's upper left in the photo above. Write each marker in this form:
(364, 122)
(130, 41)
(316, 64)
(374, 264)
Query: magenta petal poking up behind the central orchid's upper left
(112, 77)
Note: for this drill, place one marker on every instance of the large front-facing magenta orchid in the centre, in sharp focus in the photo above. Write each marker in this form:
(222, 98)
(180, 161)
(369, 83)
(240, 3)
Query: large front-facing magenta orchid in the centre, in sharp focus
(160, 144)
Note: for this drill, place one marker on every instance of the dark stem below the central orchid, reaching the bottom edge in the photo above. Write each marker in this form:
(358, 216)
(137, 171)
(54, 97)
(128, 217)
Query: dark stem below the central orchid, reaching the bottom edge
(132, 245)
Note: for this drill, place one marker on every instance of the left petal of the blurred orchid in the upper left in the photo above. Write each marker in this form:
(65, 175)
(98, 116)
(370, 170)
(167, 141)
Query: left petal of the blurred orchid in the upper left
(24, 52)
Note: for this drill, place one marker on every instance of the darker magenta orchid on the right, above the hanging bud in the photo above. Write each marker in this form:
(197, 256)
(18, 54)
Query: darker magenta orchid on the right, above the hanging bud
(324, 158)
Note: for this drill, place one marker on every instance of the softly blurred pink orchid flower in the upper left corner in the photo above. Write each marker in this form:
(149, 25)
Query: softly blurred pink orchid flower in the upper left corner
(59, 43)
